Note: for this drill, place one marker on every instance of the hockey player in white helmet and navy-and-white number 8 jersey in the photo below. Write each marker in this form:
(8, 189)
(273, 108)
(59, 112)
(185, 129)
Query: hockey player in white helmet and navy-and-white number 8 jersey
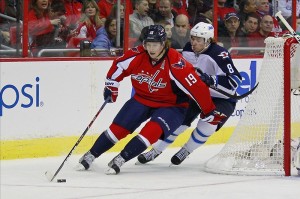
(217, 70)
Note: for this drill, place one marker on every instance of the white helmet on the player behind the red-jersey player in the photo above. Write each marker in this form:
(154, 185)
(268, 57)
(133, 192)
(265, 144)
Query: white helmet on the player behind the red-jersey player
(204, 30)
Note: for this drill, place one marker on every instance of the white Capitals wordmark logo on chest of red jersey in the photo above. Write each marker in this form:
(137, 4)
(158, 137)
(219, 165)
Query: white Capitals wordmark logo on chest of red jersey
(150, 80)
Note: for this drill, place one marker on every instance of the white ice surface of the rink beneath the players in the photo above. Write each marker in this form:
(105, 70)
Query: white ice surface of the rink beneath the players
(25, 179)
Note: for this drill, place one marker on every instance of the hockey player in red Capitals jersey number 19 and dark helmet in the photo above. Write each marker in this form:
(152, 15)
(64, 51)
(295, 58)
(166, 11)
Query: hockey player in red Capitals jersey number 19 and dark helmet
(163, 82)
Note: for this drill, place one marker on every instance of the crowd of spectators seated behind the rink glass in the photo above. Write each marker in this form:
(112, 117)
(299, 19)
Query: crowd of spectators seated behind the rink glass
(59, 24)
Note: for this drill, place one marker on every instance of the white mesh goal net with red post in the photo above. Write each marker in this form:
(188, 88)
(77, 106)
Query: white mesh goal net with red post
(260, 143)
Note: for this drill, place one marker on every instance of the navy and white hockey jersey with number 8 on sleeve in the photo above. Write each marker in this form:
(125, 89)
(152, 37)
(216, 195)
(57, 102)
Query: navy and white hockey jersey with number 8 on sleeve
(215, 60)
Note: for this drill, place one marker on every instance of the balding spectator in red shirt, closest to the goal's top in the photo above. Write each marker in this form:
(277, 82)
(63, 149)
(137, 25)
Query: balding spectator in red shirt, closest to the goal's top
(266, 25)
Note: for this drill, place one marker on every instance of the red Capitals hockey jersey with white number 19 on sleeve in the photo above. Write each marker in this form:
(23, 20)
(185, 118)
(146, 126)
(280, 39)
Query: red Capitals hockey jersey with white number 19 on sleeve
(164, 83)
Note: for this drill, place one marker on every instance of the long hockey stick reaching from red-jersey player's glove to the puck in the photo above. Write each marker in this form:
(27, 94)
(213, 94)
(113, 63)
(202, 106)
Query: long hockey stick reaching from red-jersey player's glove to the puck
(48, 174)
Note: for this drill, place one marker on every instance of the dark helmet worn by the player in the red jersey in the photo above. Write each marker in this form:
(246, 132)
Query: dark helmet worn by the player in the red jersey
(155, 33)
